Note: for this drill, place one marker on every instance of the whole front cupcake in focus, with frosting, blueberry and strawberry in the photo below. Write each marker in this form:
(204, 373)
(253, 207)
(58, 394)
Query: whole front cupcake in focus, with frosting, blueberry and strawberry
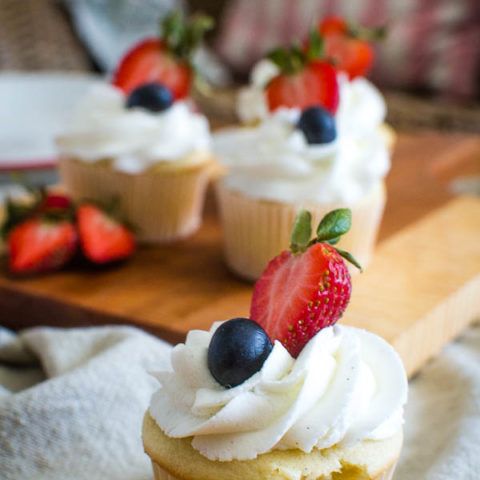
(286, 393)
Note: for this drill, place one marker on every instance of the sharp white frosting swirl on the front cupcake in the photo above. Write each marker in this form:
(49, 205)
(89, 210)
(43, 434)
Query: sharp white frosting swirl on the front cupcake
(347, 385)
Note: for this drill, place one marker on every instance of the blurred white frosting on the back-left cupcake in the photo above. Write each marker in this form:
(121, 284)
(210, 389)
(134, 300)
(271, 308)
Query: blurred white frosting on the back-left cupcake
(133, 138)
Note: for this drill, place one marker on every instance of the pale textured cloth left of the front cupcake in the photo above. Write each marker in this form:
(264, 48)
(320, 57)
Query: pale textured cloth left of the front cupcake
(83, 421)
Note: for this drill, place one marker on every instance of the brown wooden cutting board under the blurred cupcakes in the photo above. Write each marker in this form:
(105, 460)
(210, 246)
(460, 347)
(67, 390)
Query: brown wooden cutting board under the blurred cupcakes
(418, 293)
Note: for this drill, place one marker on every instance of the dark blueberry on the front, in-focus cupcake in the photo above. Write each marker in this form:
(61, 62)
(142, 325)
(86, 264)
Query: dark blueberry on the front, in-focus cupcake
(237, 350)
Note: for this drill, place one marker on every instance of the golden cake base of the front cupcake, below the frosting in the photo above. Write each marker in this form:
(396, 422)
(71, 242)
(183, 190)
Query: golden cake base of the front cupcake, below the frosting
(175, 459)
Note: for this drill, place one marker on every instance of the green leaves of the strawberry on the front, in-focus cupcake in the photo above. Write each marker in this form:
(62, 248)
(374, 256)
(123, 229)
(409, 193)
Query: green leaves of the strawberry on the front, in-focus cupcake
(330, 229)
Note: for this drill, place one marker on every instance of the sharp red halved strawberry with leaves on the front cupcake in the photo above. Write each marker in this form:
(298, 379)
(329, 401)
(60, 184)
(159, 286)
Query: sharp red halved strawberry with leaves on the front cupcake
(306, 288)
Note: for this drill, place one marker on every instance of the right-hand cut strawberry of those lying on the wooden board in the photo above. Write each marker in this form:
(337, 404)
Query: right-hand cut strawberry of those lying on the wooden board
(102, 238)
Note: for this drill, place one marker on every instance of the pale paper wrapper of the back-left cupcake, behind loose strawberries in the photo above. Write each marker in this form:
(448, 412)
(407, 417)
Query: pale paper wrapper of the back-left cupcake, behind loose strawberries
(161, 206)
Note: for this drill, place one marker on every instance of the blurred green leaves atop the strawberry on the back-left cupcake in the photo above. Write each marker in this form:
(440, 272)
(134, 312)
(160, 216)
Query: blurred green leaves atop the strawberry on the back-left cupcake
(183, 36)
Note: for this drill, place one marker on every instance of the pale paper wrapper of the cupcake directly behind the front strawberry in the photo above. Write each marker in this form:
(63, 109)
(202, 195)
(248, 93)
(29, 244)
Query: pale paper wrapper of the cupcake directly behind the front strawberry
(256, 230)
